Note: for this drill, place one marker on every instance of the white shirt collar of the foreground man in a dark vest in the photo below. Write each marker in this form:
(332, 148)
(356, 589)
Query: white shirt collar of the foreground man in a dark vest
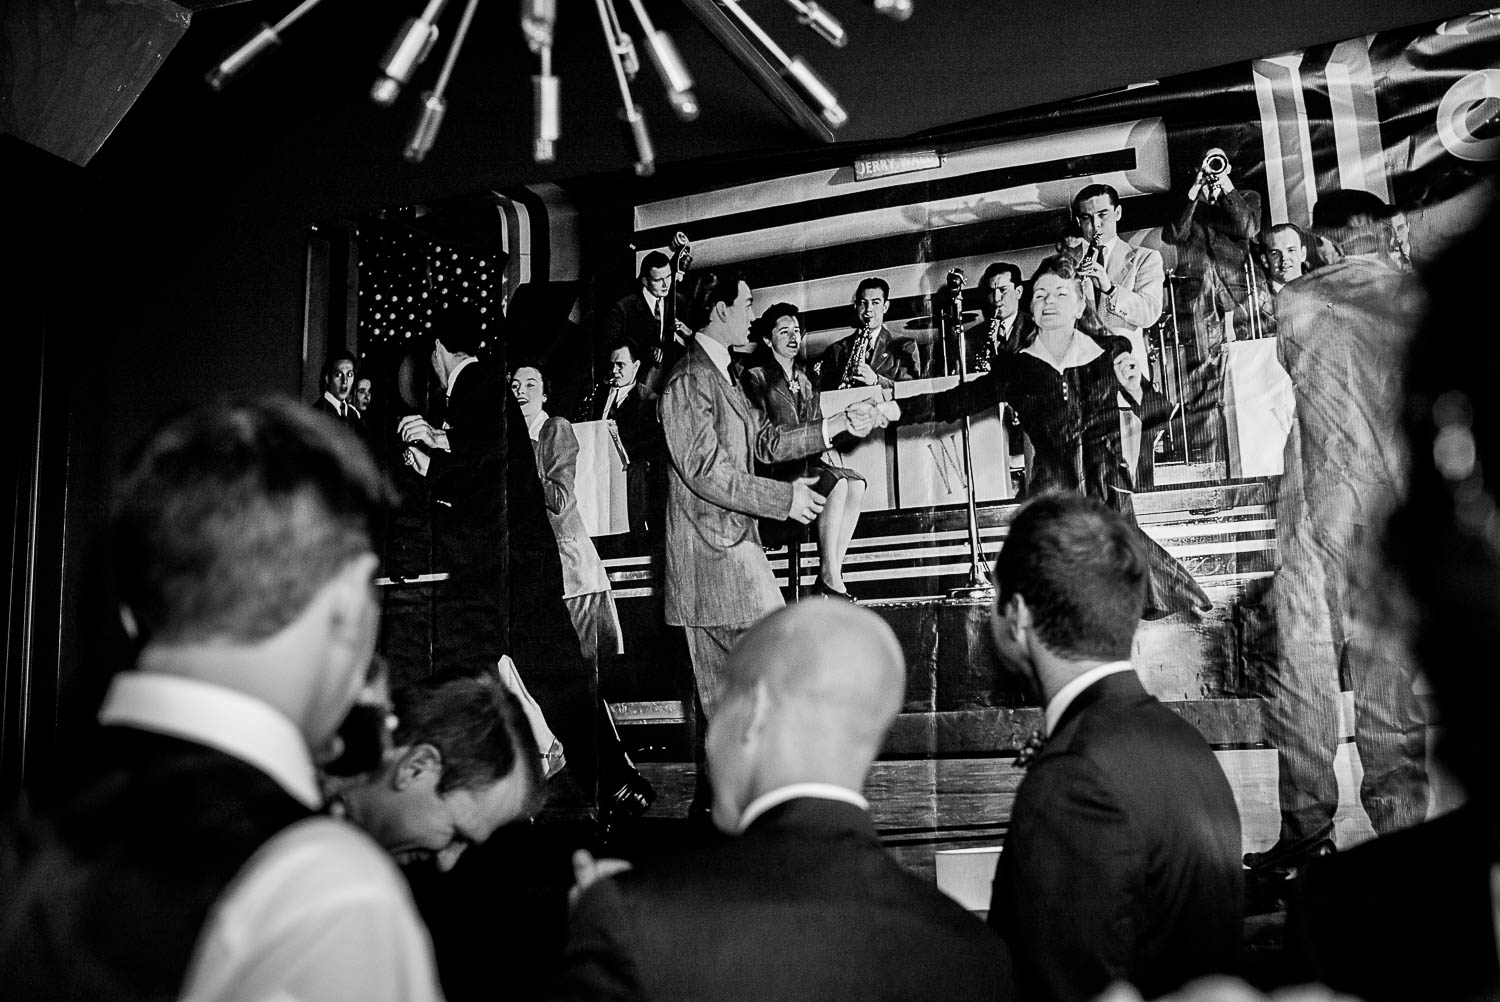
(218, 718)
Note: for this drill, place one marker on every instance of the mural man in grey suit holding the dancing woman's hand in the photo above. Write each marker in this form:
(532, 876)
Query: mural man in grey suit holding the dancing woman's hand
(718, 578)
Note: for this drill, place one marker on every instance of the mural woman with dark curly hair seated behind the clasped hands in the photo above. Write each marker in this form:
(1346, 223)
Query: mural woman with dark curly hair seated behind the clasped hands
(781, 389)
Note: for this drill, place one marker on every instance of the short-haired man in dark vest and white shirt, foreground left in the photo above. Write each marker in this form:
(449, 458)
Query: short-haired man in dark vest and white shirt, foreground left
(187, 859)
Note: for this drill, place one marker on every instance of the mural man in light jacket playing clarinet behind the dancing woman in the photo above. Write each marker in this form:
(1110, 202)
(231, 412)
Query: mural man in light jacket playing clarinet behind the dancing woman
(1129, 290)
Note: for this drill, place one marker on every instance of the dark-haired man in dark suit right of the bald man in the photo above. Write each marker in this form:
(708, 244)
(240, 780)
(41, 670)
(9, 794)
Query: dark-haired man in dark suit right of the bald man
(1123, 859)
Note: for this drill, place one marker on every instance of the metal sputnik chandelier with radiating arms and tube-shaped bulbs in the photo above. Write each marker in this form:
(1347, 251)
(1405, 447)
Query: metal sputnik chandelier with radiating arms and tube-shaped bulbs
(785, 79)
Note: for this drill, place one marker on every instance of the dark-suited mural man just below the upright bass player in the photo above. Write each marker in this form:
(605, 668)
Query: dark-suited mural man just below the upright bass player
(631, 409)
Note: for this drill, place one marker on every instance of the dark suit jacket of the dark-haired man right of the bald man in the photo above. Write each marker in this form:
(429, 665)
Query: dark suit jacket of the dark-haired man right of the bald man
(1124, 854)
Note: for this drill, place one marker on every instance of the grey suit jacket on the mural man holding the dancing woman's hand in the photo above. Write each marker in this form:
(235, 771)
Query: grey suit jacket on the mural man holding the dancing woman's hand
(716, 569)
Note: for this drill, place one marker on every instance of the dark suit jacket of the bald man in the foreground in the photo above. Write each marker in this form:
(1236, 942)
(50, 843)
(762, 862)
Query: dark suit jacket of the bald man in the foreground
(805, 905)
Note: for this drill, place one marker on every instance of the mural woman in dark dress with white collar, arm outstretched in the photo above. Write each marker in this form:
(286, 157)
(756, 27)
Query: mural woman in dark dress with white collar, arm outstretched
(1072, 391)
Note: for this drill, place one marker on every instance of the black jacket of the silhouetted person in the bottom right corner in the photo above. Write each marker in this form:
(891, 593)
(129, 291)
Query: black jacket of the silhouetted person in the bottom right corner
(1403, 917)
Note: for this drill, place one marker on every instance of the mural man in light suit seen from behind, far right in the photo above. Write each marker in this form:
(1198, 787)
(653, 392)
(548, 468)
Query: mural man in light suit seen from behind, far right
(1343, 340)
